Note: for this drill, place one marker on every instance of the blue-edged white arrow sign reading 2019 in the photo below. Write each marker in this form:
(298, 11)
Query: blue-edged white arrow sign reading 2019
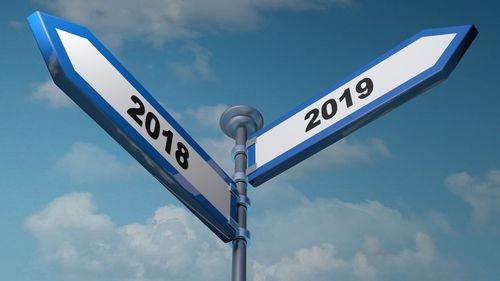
(392, 79)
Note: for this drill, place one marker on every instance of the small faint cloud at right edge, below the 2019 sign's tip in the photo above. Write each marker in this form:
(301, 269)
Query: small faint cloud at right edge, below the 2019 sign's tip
(481, 193)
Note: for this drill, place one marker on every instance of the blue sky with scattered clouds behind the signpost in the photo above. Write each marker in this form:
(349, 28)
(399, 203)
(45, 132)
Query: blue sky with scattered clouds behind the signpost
(414, 195)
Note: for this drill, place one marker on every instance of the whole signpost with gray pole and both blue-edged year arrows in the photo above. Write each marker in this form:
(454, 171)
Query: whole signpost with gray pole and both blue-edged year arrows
(90, 75)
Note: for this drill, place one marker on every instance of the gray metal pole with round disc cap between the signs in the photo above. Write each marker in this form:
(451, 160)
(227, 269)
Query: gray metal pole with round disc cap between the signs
(238, 122)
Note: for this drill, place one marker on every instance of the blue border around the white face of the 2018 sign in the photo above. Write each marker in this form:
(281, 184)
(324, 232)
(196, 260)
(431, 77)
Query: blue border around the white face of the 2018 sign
(44, 29)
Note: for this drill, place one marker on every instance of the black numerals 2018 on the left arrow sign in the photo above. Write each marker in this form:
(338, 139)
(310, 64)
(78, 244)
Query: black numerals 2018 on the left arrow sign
(153, 128)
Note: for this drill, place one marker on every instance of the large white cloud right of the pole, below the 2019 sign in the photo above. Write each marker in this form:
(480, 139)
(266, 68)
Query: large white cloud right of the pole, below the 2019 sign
(354, 241)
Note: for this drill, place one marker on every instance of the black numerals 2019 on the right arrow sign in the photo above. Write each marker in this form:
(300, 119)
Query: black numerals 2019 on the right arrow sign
(330, 107)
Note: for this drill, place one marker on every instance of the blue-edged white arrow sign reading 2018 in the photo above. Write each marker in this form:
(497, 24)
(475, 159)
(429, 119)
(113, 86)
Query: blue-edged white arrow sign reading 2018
(87, 72)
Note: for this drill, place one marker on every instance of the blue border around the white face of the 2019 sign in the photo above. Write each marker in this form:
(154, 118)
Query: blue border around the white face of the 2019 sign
(440, 71)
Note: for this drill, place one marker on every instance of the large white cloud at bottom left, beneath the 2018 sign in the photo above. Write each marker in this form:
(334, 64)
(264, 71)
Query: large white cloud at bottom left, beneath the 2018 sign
(86, 245)
